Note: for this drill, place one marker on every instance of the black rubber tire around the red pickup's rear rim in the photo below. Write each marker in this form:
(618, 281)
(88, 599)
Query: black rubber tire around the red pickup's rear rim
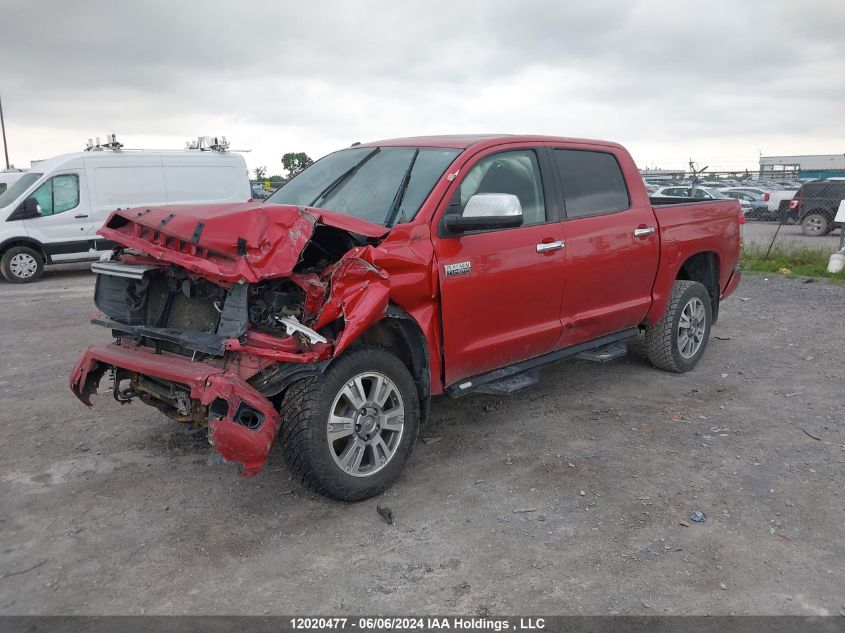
(662, 339)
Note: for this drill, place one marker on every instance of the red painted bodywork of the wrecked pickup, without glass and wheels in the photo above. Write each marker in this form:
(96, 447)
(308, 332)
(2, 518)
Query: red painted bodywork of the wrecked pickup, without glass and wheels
(515, 304)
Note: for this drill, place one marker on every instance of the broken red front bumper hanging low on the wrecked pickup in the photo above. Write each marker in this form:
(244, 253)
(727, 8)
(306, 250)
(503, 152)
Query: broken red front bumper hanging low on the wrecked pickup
(242, 423)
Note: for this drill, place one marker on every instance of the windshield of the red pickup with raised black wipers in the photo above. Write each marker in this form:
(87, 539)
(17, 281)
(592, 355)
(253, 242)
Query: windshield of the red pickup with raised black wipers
(383, 185)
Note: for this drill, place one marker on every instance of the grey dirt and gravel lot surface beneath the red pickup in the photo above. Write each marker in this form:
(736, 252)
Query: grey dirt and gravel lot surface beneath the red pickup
(573, 497)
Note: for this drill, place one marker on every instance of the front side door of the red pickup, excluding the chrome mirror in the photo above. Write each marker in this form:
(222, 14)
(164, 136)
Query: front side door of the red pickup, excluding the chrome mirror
(500, 290)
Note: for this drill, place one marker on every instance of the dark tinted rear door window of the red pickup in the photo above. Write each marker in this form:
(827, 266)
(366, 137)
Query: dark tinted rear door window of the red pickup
(592, 182)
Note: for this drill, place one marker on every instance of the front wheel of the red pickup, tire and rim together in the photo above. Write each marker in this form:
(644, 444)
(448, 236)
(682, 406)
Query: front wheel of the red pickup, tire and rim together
(348, 433)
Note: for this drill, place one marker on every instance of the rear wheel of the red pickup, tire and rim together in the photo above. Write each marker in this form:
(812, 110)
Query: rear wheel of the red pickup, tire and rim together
(677, 342)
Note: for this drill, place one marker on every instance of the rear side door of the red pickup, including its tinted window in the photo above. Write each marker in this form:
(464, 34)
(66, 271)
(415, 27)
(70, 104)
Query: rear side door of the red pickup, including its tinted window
(612, 243)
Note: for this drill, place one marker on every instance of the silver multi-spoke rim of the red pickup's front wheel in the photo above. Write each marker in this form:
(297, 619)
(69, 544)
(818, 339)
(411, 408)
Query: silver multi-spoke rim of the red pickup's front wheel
(365, 425)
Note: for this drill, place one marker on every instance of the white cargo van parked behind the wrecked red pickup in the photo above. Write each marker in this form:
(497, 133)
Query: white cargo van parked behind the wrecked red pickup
(51, 213)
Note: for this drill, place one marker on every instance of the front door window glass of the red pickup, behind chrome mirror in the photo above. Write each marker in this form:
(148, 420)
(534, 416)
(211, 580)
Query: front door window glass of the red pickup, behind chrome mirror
(515, 172)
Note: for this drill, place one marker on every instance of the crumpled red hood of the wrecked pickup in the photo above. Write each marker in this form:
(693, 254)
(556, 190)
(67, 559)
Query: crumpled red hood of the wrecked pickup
(228, 242)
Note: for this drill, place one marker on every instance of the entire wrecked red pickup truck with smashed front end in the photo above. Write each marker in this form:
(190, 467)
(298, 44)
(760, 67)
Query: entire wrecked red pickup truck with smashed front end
(391, 272)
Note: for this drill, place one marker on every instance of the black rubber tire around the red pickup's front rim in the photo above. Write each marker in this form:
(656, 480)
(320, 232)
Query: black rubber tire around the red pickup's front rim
(305, 410)
